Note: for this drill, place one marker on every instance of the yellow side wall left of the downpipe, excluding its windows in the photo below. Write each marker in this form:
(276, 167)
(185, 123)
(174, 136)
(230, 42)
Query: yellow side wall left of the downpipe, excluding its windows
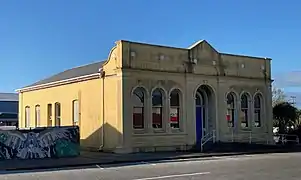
(90, 104)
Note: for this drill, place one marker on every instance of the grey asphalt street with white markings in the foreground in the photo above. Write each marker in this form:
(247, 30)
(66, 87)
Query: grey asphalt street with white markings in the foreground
(246, 167)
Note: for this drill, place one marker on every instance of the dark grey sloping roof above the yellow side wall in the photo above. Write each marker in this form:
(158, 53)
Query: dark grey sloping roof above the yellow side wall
(71, 73)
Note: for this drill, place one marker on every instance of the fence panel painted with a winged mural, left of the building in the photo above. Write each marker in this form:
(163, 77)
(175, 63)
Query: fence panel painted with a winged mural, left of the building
(48, 142)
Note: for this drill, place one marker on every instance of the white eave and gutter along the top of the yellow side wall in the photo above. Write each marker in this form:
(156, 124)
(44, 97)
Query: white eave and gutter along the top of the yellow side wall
(61, 82)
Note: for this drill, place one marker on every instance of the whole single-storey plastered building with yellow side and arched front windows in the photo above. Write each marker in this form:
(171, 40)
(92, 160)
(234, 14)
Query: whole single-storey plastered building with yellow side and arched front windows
(147, 97)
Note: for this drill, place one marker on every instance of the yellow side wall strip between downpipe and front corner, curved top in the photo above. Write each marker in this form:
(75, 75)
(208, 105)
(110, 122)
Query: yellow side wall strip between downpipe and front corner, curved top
(113, 101)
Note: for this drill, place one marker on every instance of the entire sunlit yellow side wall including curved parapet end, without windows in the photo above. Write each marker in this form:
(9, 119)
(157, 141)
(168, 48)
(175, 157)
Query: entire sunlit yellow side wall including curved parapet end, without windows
(95, 97)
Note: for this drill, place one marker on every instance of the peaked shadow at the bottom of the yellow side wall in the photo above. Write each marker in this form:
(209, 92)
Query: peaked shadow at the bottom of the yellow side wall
(112, 139)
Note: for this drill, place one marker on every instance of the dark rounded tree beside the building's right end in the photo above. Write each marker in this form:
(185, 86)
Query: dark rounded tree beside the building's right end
(285, 114)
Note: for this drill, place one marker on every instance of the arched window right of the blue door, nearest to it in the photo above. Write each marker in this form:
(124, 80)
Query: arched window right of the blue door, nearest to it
(231, 106)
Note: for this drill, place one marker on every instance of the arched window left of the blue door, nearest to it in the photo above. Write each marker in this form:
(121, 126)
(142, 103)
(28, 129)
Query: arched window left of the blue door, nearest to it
(174, 109)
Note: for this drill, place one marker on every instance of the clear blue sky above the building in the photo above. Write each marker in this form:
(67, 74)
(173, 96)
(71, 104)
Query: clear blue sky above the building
(39, 38)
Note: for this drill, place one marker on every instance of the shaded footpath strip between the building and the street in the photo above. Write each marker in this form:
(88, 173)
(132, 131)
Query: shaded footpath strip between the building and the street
(99, 158)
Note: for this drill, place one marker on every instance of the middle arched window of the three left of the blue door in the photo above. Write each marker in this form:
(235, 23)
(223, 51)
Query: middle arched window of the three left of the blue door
(157, 109)
